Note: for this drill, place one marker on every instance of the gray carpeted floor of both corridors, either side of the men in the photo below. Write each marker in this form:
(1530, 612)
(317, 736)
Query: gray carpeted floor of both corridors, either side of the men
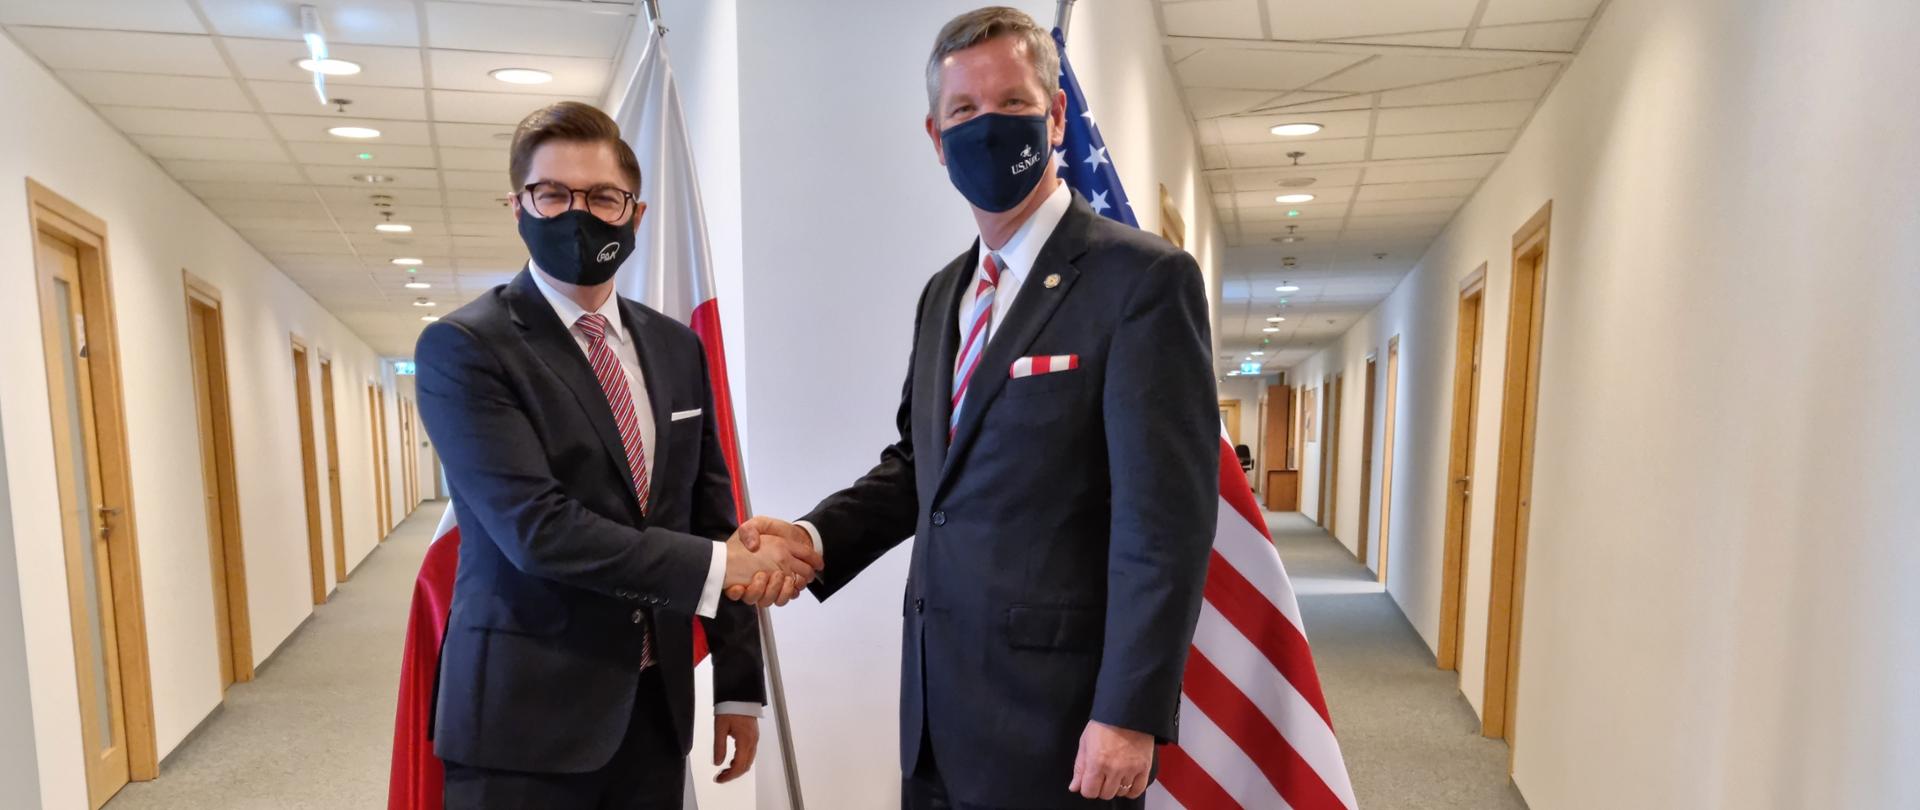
(314, 730)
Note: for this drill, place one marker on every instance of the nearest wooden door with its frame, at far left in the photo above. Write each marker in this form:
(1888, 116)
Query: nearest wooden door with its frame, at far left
(95, 488)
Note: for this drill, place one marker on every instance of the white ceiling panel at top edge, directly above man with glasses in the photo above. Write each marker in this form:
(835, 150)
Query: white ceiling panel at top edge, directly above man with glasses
(546, 30)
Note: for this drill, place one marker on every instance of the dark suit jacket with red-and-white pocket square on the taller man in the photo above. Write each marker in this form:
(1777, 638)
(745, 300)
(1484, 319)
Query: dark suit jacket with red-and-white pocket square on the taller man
(1065, 535)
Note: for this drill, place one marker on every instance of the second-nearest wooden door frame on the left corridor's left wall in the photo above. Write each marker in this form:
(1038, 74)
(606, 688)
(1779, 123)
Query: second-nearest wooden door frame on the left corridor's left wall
(231, 540)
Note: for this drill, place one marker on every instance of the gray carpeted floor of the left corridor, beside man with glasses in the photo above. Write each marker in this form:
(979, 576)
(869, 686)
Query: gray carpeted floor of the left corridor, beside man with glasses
(316, 727)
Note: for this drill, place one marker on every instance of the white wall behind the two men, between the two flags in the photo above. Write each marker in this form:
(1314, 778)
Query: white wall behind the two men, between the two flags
(846, 216)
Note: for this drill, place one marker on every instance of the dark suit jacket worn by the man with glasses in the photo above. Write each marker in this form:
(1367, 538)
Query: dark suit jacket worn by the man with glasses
(560, 569)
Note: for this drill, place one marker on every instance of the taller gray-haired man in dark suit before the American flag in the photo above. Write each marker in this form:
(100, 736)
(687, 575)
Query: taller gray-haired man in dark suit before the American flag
(1059, 464)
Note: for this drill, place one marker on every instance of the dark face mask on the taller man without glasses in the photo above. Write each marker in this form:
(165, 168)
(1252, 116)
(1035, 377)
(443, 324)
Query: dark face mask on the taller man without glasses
(996, 160)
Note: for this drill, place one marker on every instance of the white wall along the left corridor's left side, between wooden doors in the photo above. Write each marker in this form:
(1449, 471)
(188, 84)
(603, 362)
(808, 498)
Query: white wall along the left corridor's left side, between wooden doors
(155, 231)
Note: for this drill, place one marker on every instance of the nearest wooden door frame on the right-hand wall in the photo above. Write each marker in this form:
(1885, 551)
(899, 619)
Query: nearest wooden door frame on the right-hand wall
(1514, 492)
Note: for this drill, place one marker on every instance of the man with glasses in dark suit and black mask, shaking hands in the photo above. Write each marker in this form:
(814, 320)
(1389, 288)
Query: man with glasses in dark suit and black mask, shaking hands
(594, 506)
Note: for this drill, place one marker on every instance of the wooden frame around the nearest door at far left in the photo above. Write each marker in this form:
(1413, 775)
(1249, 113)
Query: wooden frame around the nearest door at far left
(49, 212)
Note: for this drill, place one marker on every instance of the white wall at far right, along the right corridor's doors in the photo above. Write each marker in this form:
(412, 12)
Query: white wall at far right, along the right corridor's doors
(1723, 531)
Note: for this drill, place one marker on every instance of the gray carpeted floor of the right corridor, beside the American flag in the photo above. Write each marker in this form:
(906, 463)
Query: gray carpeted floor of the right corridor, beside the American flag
(1408, 736)
